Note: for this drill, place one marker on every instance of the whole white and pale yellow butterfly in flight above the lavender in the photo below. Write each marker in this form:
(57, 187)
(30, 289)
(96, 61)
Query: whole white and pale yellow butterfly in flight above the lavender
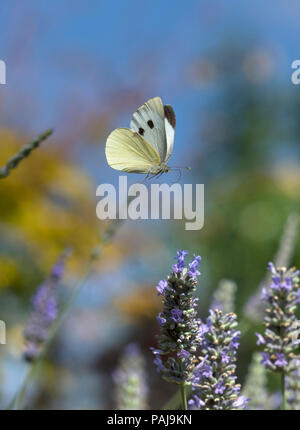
(147, 146)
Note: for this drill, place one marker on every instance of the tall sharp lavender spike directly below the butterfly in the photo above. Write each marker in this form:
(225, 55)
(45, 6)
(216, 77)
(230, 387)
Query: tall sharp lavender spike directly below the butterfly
(179, 326)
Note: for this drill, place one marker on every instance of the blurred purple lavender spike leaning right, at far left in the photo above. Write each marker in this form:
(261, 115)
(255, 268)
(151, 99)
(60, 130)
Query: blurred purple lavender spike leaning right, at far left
(44, 311)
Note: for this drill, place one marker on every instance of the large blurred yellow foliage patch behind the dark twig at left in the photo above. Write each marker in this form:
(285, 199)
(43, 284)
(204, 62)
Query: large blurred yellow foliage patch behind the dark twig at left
(46, 205)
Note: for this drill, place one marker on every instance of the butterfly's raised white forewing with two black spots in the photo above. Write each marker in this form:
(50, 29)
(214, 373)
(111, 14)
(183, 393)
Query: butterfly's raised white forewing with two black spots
(149, 122)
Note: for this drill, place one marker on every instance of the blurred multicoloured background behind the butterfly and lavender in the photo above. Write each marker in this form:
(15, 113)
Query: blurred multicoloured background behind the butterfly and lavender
(83, 68)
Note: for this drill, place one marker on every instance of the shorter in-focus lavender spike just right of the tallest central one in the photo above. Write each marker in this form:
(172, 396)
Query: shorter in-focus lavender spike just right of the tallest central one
(214, 382)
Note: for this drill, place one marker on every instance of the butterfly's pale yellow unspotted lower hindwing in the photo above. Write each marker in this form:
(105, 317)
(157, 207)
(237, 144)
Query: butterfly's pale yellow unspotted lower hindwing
(126, 150)
